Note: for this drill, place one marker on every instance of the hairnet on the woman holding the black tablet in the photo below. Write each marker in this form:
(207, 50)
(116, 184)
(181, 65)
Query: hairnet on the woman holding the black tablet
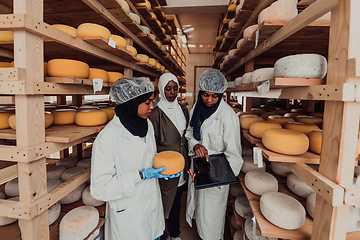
(212, 80)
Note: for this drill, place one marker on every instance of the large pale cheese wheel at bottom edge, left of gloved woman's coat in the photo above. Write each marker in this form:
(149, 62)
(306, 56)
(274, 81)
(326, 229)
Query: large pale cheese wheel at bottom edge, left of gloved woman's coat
(78, 223)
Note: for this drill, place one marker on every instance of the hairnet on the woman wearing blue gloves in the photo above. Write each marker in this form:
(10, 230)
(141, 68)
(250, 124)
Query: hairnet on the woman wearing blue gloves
(127, 88)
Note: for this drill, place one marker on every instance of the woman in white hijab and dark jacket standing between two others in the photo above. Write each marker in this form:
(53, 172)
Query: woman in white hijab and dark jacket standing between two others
(170, 120)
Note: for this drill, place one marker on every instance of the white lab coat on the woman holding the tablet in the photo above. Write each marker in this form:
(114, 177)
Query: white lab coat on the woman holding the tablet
(220, 133)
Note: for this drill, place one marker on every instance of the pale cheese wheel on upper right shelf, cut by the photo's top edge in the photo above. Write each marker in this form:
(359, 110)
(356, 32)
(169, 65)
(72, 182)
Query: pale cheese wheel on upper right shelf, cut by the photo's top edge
(283, 10)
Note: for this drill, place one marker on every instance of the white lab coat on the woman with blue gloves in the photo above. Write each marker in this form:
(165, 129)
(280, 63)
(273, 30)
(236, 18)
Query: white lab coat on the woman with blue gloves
(133, 206)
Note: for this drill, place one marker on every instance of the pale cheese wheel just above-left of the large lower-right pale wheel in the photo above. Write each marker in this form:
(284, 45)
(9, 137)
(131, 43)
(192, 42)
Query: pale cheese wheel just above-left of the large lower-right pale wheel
(260, 182)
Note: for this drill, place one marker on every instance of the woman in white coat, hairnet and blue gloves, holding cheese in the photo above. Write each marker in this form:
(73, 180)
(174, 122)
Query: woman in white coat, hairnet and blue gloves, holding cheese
(121, 165)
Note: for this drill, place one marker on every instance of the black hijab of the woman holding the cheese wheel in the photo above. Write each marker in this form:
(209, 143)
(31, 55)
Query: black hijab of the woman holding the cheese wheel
(128, 115)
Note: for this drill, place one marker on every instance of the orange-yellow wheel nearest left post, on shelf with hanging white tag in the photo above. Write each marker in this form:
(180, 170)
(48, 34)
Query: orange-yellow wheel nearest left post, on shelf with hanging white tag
(67, 68)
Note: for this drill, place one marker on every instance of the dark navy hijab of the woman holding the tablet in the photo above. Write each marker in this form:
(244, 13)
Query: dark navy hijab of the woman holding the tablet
(201, 113)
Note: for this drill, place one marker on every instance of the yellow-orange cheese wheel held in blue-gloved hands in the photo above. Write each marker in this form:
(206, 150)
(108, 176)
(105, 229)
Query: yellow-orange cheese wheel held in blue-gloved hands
(173, 161)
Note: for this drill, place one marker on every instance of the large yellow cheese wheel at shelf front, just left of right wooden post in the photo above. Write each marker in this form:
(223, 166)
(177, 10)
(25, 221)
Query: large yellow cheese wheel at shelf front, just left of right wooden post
(285, 141)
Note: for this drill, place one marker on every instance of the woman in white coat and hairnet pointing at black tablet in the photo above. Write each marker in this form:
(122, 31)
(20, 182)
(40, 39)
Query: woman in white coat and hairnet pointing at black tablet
(214, 128)
